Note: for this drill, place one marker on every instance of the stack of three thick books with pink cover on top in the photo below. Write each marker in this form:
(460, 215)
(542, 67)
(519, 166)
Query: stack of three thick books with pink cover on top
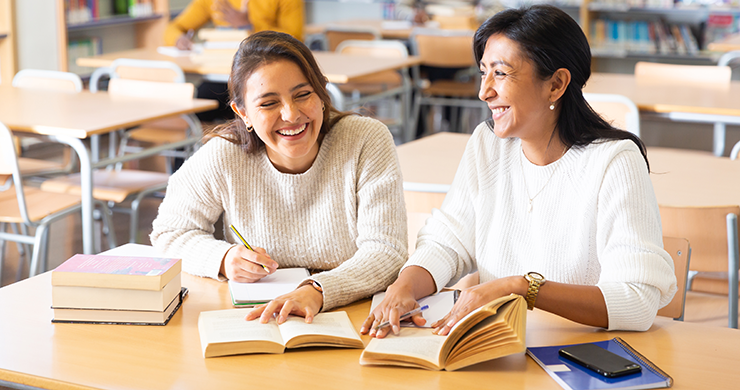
(108, 289)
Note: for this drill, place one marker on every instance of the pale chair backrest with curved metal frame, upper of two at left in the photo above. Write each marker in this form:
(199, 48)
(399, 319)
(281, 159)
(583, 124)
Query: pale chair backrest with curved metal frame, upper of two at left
(133, 69)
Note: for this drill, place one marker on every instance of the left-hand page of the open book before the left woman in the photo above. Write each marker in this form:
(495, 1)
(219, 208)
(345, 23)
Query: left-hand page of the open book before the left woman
(226, 326)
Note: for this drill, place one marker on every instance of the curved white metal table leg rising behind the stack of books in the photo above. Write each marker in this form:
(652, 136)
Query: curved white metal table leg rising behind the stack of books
(86, 188)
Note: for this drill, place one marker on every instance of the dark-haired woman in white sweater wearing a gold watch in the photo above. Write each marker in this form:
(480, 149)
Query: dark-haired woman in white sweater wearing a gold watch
(549, 202)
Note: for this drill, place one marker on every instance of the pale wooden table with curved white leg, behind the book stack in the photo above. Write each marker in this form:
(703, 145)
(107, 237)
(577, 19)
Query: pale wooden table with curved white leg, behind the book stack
(69, 118)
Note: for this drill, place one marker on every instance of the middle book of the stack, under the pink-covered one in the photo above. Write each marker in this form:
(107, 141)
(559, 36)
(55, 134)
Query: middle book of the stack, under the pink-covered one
(75, 297)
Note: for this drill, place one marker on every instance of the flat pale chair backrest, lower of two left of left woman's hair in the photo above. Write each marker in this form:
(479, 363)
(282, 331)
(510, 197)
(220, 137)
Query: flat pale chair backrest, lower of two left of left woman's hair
(150, 89)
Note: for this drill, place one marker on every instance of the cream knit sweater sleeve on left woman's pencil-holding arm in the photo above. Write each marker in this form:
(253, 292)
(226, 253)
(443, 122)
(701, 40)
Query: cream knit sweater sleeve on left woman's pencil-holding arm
(184, 226)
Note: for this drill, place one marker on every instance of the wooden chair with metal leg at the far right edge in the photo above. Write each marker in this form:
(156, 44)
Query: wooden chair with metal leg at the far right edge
(713, 255)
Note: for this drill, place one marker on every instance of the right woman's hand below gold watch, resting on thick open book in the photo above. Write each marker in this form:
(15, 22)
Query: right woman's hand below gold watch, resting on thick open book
(473, 298)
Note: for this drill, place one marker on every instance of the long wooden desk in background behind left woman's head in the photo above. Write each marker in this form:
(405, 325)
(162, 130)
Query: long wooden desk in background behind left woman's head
(337, 68)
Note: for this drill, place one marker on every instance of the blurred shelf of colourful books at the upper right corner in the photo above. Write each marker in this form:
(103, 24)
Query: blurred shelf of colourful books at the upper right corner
(657, 29)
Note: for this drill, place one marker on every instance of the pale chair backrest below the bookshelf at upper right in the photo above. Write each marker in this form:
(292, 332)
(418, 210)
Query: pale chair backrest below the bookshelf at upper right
(650, 73)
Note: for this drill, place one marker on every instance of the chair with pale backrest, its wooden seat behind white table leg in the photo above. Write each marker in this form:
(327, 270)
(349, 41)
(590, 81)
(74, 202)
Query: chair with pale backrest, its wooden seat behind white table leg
(117, 185)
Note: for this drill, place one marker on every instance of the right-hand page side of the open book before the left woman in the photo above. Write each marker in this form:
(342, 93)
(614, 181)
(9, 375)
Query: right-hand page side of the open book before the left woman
(331, 325)
